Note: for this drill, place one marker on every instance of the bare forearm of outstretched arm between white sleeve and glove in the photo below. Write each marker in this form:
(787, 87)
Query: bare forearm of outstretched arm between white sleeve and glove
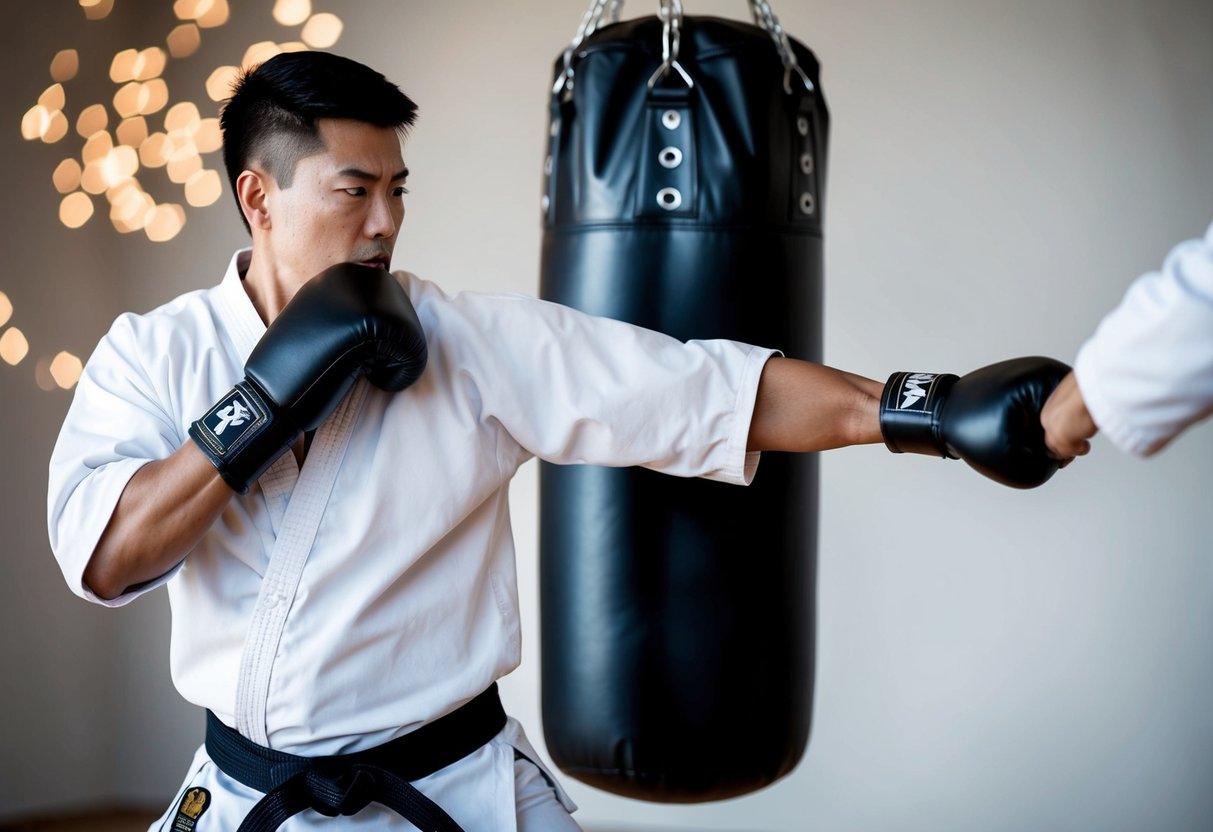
(805, 407)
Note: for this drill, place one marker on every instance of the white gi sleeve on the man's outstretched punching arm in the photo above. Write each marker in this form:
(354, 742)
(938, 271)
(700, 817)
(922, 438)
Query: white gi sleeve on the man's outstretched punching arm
(574, 389)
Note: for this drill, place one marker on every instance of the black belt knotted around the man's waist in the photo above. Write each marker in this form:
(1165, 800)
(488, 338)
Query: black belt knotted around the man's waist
(345, 784)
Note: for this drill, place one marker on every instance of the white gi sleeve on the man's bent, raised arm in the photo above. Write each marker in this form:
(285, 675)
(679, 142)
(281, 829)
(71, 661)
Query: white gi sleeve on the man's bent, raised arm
(115, 426)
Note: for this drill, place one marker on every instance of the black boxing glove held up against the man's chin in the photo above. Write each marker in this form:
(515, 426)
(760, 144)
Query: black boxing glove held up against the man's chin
(348, 321)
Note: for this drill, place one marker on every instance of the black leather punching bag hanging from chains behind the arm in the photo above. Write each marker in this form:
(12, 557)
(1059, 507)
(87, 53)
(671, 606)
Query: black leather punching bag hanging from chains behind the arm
(685, 195)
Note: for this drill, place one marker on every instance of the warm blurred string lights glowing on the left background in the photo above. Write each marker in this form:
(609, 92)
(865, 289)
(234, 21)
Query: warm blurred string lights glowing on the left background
(119, 145)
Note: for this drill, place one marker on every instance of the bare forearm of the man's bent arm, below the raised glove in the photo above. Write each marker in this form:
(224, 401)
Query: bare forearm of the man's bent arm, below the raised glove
(163, 512)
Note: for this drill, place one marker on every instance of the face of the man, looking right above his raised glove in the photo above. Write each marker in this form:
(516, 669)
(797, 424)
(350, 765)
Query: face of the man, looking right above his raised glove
(345, 204)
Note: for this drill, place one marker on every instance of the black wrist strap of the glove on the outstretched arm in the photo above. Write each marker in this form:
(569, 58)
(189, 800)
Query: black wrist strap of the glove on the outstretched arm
(912, 407)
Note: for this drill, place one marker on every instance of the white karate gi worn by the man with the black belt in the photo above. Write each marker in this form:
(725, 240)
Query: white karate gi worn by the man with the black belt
(340, 606)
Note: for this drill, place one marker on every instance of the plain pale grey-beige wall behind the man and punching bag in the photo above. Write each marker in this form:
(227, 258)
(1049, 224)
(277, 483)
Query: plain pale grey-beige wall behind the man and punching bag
(1000, 172)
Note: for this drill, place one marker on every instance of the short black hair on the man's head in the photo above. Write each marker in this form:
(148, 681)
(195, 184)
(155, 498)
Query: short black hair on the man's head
(272, 115)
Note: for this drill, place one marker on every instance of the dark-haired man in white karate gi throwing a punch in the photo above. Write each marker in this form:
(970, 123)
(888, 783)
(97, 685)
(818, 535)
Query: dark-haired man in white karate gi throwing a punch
(357, 596)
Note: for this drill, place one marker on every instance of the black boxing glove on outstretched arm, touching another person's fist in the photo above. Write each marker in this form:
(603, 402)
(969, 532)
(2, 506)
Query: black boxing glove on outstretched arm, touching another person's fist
(990, 418)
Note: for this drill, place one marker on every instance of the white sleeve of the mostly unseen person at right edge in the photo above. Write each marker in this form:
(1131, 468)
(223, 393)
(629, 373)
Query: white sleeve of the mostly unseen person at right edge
(1147, 373)
